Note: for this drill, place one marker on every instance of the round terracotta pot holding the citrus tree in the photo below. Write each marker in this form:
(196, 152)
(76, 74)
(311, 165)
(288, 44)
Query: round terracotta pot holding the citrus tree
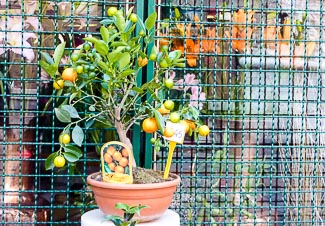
(157, 196)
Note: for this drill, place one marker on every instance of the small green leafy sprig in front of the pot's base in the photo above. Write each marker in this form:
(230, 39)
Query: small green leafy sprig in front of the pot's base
(129, 212)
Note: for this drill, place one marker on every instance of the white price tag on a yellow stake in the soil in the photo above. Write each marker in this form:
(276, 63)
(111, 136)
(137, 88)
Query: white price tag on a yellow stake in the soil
(177, 138)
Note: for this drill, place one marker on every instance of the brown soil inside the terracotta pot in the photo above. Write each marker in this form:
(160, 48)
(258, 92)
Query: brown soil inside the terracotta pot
(144, 176)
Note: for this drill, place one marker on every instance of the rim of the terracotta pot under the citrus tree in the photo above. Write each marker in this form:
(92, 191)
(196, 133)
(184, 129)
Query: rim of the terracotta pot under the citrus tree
(103, 184)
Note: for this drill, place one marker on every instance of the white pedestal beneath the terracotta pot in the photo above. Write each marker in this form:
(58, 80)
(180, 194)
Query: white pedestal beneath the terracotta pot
(95, 217)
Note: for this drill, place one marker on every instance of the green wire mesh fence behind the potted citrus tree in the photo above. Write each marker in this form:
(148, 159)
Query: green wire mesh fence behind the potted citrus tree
(255, 68)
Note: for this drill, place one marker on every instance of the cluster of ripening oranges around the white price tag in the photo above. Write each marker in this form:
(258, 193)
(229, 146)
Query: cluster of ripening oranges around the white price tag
(150, 125)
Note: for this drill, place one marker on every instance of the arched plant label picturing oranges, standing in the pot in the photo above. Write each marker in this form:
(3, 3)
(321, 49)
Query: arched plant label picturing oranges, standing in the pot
(116, 164)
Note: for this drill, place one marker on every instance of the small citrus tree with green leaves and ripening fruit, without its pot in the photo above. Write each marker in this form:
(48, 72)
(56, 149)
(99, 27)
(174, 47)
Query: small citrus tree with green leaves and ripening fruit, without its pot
(100, 87)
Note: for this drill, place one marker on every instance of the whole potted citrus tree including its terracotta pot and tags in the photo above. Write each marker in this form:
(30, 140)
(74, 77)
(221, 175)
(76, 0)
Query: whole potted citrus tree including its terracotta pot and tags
(100, 87)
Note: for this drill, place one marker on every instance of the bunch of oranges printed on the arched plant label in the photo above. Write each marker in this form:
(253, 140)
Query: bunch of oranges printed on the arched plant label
(117, 161)
